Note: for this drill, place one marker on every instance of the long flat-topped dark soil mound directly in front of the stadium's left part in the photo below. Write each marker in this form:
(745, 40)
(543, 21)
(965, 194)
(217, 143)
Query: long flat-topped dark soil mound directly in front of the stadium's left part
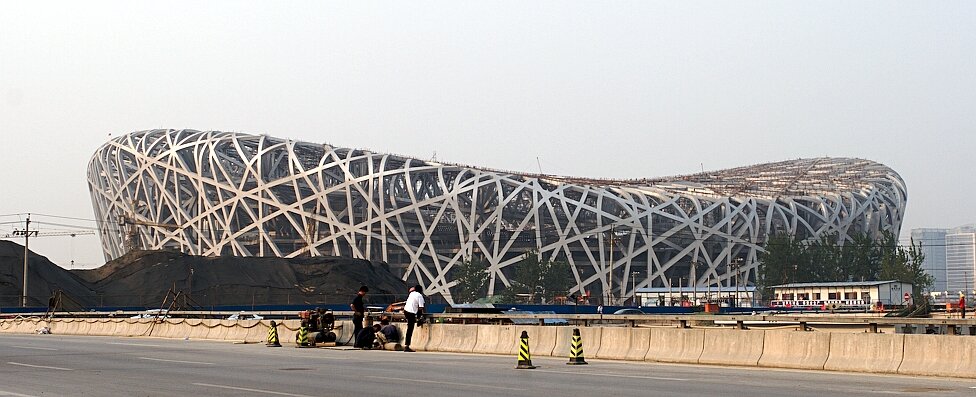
(144, 277)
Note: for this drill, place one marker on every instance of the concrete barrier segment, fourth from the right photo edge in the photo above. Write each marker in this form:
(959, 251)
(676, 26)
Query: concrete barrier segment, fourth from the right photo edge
(732, 347)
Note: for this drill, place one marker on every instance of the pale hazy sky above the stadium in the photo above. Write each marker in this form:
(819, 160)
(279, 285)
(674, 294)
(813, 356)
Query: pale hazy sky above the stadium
(601, 89)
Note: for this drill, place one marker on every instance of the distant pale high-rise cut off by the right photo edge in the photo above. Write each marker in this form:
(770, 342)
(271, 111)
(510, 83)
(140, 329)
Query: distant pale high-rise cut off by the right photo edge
(961, 259)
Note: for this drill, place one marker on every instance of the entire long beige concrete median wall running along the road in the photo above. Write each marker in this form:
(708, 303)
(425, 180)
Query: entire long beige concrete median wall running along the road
(925, 355)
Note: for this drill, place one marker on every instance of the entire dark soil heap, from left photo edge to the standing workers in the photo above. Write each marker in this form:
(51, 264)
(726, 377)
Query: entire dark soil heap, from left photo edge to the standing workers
(147, 278)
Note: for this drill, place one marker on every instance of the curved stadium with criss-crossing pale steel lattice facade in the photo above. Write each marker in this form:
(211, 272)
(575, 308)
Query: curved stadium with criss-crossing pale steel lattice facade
(221, 193)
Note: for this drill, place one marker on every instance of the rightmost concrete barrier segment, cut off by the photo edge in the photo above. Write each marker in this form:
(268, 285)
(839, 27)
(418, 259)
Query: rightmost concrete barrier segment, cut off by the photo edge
(939, 355)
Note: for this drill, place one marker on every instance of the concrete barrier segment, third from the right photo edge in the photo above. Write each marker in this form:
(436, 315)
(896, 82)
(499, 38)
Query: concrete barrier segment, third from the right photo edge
(795, 349)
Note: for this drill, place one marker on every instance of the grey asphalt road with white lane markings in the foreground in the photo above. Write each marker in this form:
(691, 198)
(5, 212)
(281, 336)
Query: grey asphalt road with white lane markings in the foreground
(52, 365)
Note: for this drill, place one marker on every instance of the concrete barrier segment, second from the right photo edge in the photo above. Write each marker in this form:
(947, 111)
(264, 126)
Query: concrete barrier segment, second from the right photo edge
(866, 352)
